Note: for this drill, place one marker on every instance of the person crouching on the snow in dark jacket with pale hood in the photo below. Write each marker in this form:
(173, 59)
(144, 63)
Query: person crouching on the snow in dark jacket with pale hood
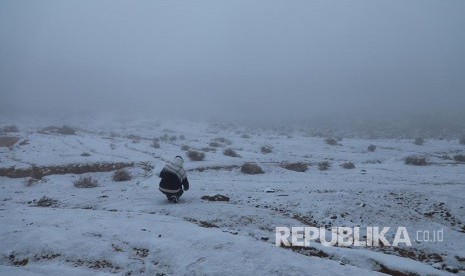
(174, 179)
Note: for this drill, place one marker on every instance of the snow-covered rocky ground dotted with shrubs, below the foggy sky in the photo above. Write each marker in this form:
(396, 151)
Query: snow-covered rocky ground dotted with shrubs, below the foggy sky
(49, 226)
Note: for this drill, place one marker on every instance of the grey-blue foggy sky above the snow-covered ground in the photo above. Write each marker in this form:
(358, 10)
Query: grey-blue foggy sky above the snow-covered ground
(254, 60)
